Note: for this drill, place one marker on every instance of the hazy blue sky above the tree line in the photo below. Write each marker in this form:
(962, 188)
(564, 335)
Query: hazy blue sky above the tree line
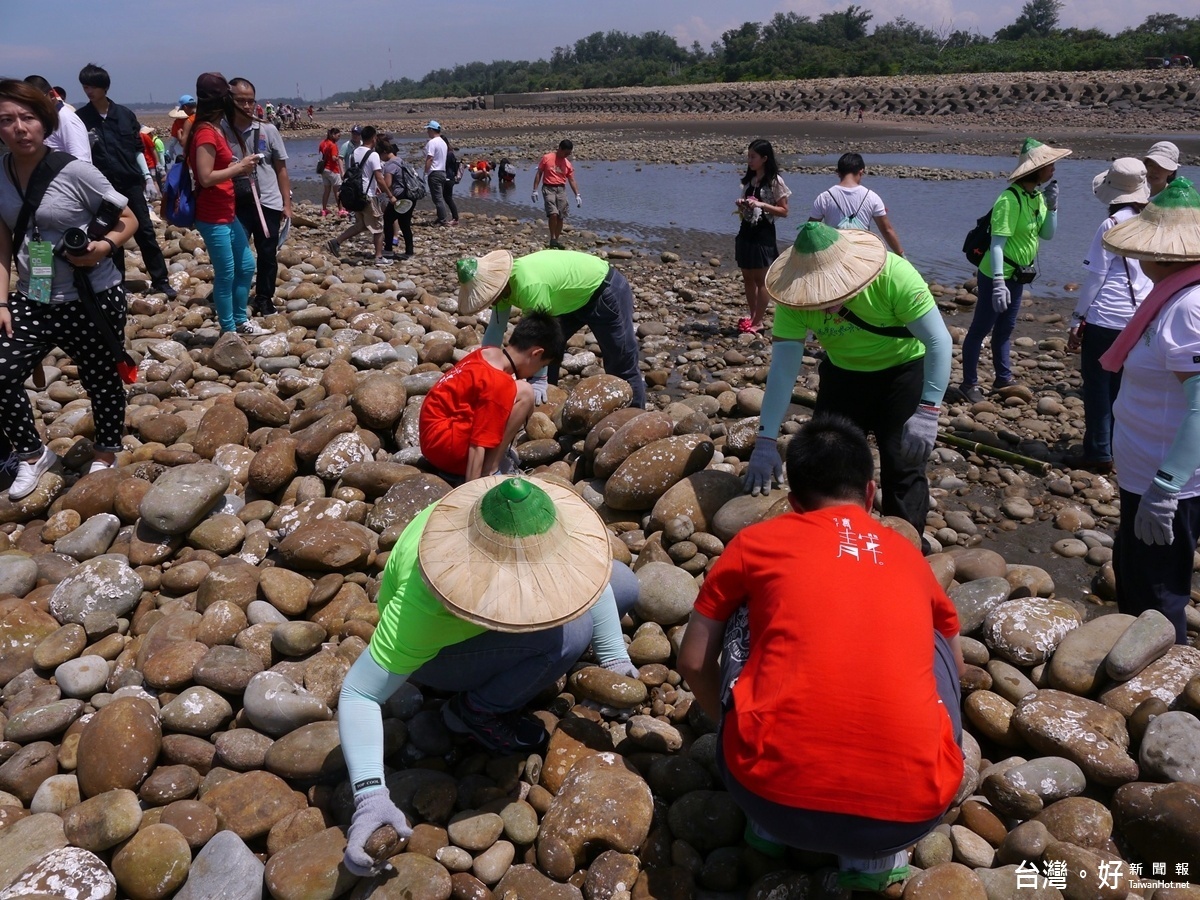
(157, 50)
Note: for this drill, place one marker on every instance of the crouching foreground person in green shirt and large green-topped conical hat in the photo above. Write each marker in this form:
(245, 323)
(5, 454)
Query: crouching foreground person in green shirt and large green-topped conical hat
(493, 595)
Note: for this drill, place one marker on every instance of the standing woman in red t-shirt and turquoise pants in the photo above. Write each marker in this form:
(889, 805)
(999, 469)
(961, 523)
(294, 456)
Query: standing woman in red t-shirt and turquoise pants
(209, 155)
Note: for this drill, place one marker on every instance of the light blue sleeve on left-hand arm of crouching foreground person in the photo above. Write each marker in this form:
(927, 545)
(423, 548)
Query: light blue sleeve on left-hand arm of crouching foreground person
(367, 688)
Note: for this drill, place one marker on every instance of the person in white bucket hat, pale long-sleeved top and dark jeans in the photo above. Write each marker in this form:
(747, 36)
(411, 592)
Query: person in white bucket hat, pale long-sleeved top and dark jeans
(1112, 293)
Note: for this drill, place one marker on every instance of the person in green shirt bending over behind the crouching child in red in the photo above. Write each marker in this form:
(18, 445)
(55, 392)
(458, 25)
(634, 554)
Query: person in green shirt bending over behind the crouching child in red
(577, 289)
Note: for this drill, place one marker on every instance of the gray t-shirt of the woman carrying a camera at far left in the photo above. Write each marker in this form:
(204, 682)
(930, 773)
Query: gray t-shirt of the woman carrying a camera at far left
(71, 200)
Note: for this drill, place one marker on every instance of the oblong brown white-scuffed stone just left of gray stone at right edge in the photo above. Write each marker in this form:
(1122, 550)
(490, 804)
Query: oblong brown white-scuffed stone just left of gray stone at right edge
(1089, 734)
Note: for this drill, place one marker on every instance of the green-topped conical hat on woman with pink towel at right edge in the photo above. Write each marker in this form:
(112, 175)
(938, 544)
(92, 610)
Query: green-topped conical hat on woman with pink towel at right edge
(1168, 231)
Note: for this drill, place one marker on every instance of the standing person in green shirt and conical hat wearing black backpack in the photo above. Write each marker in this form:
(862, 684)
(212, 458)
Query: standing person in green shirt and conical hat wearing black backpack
(1019, 220)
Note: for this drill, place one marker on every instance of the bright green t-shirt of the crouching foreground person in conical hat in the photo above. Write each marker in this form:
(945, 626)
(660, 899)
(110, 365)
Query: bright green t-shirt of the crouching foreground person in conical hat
(413, 623)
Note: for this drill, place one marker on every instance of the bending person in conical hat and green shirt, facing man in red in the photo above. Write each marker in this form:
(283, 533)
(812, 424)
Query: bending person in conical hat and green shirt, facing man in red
(887, 364)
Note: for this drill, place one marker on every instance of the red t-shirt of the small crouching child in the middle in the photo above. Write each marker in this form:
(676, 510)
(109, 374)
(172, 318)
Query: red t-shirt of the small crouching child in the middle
(470, 406)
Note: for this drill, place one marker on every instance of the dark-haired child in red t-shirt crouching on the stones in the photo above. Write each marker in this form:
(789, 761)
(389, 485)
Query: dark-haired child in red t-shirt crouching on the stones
(471, 417)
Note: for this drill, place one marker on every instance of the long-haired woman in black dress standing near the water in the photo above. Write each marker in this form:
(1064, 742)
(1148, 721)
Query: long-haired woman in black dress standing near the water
(764, 200)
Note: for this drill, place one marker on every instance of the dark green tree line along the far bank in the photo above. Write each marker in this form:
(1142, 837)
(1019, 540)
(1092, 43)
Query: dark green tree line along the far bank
(833, 46)
